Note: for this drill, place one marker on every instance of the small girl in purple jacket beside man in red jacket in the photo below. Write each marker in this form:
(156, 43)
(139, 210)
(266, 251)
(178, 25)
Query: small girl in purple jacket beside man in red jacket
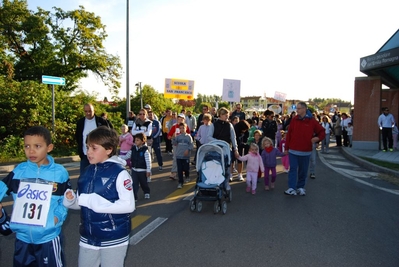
(269, 157)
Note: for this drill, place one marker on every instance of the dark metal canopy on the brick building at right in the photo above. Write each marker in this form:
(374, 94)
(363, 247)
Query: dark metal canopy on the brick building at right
(384, 63)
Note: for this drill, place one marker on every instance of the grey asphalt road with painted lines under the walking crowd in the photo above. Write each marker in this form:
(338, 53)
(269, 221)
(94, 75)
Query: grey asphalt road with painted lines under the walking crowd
(340, 222)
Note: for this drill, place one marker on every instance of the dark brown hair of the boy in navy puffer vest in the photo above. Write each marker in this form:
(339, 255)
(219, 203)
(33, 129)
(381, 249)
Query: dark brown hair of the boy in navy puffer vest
(105, 137)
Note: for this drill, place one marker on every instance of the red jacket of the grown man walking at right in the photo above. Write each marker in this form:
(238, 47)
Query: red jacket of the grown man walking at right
(301, 131)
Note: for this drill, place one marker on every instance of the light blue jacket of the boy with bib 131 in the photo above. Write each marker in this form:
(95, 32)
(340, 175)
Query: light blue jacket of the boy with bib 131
(53, 173)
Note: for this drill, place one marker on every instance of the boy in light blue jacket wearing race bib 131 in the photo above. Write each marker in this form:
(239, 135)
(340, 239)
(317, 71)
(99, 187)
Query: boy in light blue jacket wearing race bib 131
(37, 187)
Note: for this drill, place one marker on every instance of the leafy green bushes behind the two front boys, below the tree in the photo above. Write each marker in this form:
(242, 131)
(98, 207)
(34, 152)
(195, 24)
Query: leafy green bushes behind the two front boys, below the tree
(28, 103)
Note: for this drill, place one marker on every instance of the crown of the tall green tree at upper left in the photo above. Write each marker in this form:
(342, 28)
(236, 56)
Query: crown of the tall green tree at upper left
(67, 44)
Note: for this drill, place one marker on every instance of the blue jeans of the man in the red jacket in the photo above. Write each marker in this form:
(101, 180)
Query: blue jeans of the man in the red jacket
(298, 171)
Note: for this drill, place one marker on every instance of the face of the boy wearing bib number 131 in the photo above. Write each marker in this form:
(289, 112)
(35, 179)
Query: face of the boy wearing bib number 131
(36, 149)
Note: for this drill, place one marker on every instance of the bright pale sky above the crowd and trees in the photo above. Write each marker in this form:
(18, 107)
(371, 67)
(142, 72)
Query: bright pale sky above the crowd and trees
(305, 49)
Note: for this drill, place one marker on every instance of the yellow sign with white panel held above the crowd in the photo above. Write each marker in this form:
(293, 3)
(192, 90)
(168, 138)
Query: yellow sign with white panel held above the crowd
(179, 89)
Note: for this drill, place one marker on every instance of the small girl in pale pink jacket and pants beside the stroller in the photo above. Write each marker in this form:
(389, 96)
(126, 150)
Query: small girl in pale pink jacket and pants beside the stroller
(254, 163)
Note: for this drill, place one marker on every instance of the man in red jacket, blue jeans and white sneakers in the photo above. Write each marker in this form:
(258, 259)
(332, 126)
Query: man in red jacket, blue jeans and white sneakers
(303, 132)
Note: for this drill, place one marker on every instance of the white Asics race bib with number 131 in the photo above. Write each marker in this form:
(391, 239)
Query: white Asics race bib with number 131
(32, 204)
